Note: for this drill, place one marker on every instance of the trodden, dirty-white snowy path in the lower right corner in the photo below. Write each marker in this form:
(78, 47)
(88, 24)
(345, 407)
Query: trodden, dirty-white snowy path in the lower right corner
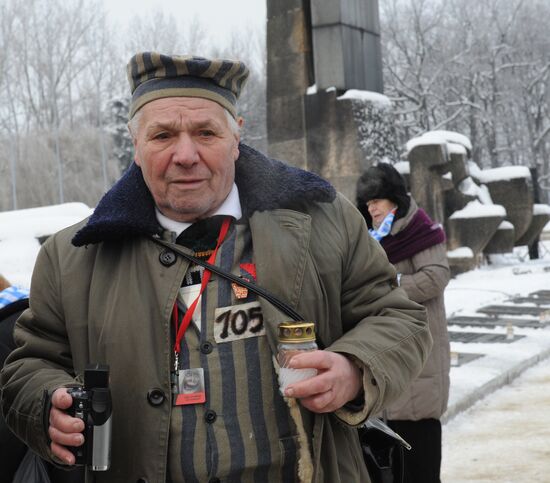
(505, 437)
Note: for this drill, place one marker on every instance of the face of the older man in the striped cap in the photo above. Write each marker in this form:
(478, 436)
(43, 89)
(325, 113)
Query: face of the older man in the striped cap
(187, 152)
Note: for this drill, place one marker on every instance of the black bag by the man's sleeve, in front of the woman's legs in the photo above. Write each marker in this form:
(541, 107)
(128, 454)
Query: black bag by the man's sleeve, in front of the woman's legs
(383, 451)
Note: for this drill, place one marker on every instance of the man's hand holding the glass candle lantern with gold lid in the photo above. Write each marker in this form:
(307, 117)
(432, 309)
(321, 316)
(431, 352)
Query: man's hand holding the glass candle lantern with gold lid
(337, 382)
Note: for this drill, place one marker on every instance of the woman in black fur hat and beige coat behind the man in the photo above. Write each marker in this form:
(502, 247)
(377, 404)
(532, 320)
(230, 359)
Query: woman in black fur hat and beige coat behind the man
(416, 246)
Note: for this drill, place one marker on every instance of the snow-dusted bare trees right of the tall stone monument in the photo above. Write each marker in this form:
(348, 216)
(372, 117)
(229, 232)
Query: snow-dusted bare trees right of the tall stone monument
(479, 68)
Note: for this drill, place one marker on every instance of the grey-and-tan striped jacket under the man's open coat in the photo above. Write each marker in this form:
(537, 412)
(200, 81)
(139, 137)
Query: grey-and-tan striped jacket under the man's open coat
(252, 438)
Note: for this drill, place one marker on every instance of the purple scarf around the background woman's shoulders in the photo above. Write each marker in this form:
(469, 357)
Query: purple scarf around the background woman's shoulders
(419, 234)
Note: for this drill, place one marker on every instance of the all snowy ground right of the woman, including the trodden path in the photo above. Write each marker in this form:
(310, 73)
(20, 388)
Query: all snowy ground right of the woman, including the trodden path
(504, 435)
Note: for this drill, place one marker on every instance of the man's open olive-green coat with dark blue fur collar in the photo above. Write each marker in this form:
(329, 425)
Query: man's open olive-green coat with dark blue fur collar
(98, 286)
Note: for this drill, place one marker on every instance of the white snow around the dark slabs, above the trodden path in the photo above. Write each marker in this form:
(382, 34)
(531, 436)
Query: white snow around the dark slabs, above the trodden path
(495, 284)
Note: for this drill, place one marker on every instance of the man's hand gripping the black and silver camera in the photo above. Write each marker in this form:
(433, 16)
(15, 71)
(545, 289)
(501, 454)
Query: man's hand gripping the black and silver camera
(64, 430)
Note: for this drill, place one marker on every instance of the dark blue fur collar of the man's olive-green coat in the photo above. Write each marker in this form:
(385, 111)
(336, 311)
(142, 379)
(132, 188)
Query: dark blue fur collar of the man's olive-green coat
(128, 209)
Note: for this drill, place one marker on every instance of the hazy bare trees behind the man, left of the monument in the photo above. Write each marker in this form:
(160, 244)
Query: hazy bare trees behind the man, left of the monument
(64, 93)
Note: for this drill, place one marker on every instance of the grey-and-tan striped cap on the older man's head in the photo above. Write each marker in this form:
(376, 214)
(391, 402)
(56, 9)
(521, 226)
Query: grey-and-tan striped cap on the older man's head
(154, 76)
